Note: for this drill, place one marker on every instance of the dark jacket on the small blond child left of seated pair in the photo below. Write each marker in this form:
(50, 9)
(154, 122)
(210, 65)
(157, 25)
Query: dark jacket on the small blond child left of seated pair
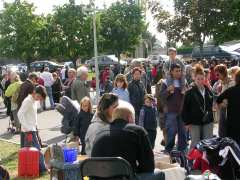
(82, 123)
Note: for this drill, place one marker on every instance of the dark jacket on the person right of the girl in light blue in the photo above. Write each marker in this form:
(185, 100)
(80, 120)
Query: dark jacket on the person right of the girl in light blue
(136, 91)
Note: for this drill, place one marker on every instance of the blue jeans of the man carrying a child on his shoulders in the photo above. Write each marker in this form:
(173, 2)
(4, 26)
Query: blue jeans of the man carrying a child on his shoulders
(174, 126)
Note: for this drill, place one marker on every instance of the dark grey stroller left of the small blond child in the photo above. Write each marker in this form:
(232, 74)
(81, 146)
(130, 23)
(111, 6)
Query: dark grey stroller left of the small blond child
(69, 109)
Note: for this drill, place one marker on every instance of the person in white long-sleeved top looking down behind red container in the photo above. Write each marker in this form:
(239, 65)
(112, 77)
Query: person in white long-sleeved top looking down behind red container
(27, 115)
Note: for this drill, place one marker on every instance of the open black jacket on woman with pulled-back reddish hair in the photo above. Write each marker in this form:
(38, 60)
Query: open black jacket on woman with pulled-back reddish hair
(193, 105)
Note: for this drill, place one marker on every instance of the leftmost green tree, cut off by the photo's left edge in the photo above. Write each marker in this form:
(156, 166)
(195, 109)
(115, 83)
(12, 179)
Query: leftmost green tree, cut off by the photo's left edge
(19, 31)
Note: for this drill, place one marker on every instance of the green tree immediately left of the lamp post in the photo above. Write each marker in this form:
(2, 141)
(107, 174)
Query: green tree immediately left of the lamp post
(71, 31)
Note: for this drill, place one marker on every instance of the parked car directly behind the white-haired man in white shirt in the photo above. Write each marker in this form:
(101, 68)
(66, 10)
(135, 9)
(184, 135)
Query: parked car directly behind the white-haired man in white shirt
(39, 65)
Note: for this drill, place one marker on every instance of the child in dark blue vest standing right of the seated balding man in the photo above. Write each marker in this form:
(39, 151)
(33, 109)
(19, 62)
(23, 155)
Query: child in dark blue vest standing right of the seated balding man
(147, 118)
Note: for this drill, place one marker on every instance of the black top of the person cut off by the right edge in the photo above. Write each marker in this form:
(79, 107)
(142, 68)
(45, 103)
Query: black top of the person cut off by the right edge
(233, 96)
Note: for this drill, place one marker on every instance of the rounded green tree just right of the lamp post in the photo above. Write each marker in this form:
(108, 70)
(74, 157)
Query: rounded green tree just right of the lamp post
(122, 25)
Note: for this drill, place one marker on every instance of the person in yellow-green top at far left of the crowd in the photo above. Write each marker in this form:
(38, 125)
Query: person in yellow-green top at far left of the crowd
(13, 92)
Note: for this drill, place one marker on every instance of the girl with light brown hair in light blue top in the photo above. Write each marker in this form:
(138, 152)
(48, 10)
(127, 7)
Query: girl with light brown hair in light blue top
(120, 87)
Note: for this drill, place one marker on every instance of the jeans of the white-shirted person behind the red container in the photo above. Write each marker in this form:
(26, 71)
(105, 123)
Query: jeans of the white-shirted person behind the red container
(35, 143)
